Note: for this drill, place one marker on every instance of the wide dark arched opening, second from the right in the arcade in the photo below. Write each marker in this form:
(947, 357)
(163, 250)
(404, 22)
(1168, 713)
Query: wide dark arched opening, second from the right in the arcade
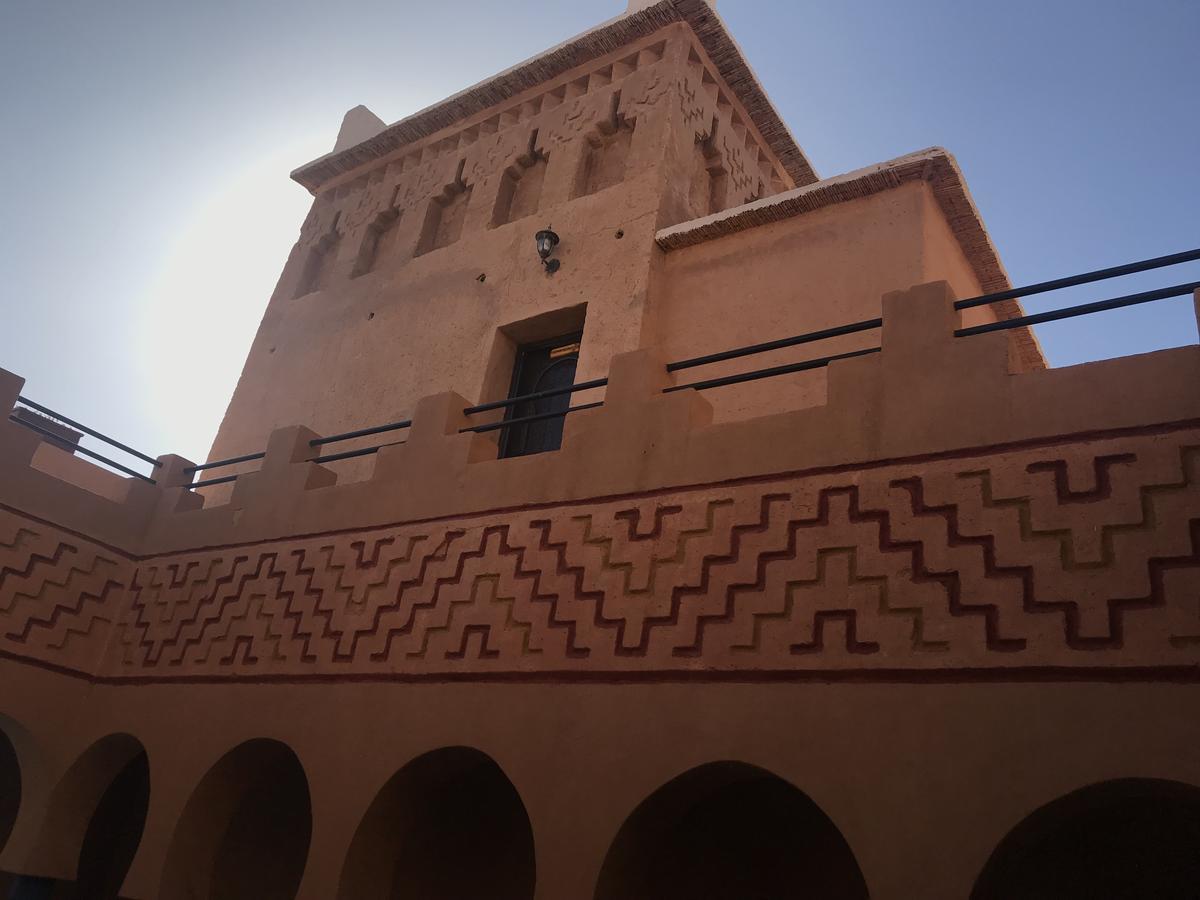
(729, 831)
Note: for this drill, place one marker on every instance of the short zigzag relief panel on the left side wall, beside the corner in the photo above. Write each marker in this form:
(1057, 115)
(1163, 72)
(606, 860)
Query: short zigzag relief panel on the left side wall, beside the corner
(59, 595)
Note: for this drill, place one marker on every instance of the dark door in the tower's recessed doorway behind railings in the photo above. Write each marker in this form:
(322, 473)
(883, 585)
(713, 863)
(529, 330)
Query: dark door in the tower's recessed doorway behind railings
(541, 368)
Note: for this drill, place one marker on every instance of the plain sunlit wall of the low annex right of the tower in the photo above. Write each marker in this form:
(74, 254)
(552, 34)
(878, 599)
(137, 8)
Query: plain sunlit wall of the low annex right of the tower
(801, 275)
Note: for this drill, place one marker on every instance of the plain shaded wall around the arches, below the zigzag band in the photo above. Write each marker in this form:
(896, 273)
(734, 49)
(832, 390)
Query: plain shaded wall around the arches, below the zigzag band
(923, 781)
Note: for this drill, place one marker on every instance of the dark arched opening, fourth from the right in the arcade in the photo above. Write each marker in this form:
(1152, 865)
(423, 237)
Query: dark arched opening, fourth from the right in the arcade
(245, 831)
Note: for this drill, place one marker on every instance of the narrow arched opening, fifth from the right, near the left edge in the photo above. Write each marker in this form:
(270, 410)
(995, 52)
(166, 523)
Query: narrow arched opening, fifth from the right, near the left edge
(94, 823)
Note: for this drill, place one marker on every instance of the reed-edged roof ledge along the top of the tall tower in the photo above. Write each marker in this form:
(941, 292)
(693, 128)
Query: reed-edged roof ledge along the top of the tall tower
(607, 38)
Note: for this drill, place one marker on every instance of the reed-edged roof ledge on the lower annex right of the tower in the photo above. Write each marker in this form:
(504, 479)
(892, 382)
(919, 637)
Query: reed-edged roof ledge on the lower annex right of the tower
(935, 166)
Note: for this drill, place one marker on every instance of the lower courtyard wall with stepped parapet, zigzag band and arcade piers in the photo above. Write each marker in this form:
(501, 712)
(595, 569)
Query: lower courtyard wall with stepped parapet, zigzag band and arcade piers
(926, 604)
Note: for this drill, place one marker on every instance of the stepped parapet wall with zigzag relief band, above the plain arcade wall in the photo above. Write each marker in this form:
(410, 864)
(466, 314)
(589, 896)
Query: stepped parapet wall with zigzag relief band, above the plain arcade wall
(938, 519)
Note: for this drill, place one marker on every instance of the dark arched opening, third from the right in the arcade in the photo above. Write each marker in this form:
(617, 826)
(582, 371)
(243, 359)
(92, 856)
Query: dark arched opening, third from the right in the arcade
(449, 826)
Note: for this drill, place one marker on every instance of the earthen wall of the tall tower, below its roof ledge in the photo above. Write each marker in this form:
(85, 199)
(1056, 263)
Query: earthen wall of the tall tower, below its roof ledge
(364, 346)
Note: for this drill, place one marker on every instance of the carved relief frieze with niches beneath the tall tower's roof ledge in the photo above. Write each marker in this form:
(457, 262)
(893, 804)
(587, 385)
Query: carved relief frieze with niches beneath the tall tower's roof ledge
(599, 109)
